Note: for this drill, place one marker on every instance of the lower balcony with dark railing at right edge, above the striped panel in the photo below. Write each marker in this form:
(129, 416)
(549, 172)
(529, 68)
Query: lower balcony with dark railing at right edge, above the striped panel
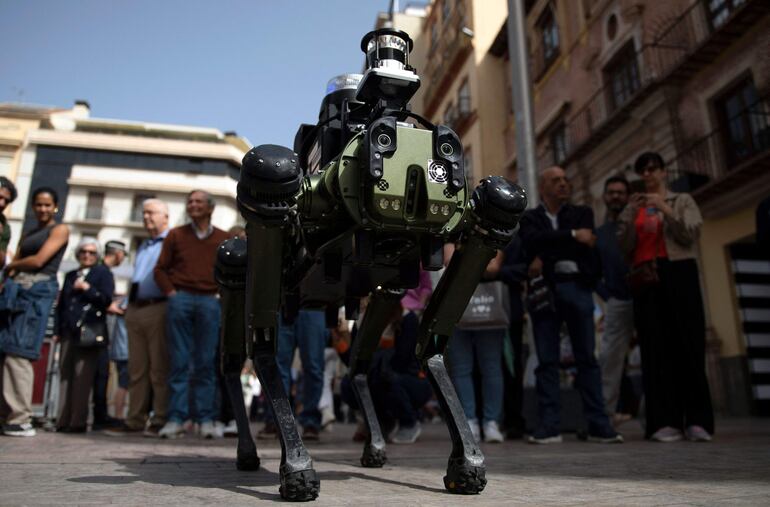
(728, 158)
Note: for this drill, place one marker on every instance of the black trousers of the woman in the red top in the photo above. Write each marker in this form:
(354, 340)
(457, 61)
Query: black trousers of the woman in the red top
(670, 323)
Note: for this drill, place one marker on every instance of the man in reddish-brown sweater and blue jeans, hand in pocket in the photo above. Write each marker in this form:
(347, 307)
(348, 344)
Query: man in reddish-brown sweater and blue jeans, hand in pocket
(185, 274)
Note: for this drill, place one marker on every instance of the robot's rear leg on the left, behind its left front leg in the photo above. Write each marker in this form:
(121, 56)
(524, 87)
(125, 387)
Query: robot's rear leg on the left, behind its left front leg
(230, 274)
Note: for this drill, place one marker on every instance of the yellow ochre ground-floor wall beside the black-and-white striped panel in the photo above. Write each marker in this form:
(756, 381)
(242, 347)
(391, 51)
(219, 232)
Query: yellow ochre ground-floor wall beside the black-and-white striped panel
(719, 296)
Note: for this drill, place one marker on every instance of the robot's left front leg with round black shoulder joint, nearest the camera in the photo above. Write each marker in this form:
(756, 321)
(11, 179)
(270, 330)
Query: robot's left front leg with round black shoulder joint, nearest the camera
(270, 178)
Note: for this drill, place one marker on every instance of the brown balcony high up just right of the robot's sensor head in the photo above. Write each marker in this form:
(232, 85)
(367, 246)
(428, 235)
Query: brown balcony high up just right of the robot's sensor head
(446, 58)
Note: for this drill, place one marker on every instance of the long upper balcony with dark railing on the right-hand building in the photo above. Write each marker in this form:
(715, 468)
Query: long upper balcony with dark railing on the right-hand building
(692, 41)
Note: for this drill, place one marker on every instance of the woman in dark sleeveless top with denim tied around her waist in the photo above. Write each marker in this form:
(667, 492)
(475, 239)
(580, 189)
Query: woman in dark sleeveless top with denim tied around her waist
(28, 294)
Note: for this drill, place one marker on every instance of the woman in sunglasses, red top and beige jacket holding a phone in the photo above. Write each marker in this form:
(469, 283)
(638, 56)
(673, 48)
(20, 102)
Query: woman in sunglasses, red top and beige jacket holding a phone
(658, 231)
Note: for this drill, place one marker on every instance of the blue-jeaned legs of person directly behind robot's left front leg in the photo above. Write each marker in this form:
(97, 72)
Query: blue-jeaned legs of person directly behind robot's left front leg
(308, 333)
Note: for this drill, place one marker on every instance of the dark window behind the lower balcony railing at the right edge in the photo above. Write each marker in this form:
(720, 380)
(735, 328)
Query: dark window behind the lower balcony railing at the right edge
(745, 121)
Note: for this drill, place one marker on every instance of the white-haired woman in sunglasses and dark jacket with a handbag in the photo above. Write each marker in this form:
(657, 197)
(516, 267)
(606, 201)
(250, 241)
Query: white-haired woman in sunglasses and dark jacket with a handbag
(85, 296)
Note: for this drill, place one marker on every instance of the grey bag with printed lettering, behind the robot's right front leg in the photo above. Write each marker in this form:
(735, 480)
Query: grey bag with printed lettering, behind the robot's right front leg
(488, 308)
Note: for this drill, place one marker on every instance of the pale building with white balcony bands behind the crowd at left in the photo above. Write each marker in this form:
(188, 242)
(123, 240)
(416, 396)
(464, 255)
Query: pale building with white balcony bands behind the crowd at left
(104, 169)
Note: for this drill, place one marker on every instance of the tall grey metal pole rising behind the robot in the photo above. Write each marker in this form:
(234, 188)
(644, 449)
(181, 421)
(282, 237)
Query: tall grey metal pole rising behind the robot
(522, 101)
